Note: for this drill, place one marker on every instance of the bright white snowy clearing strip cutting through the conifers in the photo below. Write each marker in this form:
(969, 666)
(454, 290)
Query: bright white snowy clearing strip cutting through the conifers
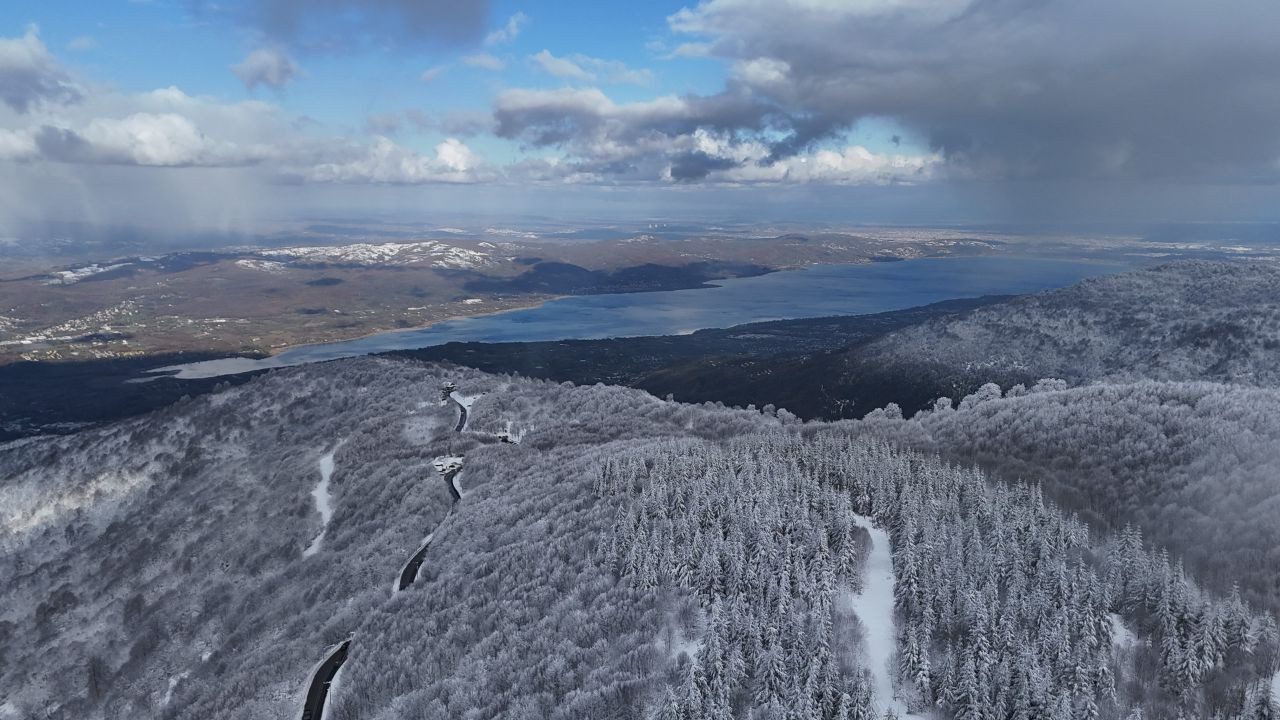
(875, 608)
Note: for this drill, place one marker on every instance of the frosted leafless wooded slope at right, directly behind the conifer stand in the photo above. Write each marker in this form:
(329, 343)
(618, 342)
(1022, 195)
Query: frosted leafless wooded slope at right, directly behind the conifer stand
(1195, 466)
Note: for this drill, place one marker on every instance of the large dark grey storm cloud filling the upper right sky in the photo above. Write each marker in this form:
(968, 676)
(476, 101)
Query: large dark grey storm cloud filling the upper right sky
(1022, 88)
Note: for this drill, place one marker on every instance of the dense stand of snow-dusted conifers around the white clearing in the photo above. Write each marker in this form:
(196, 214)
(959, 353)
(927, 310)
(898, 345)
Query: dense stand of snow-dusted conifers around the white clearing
(1008, 609)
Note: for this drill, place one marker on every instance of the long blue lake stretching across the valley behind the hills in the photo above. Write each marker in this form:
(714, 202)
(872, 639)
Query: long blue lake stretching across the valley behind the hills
(811, 293)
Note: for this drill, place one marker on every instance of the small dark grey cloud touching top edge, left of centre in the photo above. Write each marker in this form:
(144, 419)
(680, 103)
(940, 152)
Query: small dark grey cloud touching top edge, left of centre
(342, 25)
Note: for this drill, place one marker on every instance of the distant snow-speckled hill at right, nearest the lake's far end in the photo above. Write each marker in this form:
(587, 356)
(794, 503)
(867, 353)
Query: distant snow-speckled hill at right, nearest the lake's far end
(1192, 321)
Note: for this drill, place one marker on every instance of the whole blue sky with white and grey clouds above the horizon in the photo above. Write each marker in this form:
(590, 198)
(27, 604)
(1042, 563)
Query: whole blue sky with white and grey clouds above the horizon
(194, 115)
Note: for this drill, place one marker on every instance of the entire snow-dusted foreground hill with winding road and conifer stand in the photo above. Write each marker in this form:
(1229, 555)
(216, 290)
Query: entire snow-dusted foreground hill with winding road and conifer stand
(623, 558)
